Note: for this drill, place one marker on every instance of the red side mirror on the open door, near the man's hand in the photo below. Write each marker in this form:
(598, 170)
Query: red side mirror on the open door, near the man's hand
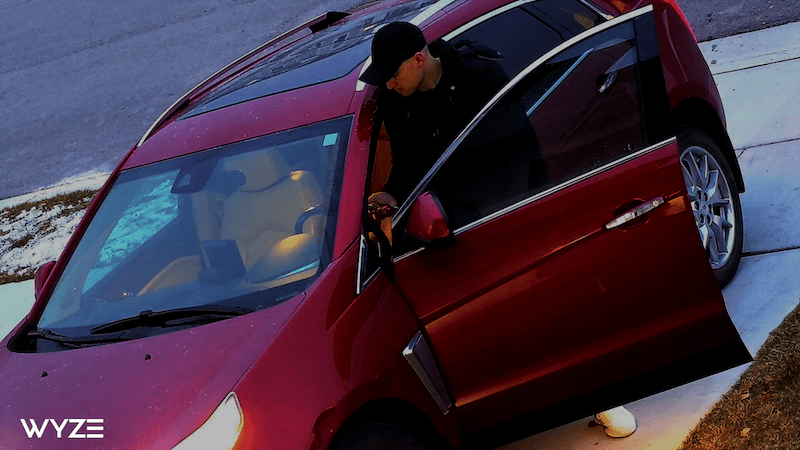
(427, 223)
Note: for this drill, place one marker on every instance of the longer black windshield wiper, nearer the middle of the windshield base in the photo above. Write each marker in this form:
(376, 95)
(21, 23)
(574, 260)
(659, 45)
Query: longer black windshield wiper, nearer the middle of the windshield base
(171, 317)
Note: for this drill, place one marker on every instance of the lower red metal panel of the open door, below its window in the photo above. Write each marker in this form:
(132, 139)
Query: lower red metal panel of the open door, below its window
(533, 321)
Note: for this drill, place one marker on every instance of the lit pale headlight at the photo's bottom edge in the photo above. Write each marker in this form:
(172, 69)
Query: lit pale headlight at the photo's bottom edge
(220, 431)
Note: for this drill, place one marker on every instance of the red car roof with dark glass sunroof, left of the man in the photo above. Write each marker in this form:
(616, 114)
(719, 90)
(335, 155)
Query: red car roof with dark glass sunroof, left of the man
(306, 75)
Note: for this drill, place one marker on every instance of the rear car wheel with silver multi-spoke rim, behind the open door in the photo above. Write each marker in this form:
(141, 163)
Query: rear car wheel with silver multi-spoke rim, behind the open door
(714, 199)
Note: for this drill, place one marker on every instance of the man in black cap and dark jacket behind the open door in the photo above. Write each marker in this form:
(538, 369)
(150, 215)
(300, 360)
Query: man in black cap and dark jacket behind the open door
(432, 91)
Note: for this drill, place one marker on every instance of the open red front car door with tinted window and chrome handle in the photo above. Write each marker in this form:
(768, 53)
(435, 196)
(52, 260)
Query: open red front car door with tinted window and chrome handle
(576, 280)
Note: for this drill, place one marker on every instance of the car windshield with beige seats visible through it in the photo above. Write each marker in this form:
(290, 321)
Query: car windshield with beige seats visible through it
(243, 226)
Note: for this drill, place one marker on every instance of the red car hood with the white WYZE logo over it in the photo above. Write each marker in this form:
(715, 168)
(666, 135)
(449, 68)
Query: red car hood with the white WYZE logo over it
(150, 392)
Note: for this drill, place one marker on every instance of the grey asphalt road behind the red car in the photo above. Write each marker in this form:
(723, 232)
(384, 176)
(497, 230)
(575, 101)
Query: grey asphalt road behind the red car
(80, 81)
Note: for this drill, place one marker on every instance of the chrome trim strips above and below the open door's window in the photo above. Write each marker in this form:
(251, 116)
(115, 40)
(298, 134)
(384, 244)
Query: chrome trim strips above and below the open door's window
(422, 185)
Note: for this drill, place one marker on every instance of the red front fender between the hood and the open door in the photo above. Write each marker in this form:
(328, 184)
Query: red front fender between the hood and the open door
(337, 354)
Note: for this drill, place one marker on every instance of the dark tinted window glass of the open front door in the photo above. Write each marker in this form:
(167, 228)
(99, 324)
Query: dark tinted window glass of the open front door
(578, 111)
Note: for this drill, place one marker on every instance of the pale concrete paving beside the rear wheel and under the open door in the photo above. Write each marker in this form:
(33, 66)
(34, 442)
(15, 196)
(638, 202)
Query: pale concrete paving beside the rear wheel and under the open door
(758, 75)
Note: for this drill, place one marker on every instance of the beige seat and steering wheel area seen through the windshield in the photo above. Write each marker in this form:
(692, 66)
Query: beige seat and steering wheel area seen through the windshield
(269, 246)
